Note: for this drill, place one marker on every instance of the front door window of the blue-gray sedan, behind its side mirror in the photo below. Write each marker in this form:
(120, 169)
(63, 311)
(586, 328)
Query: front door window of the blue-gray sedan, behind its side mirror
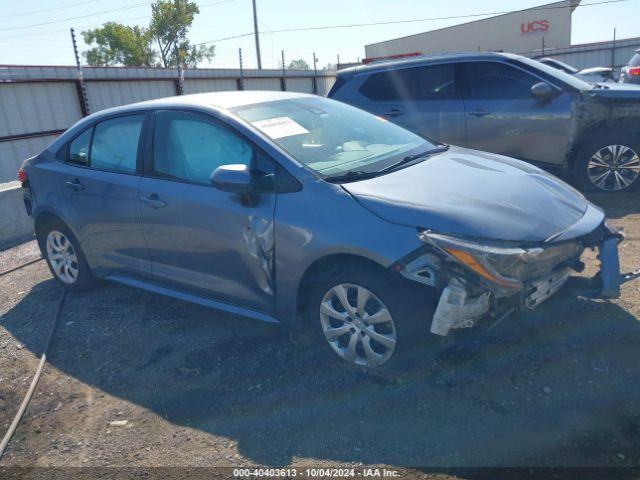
(187, 147)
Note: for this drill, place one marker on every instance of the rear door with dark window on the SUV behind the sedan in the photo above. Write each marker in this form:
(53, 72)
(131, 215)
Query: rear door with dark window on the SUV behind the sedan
(423, 99)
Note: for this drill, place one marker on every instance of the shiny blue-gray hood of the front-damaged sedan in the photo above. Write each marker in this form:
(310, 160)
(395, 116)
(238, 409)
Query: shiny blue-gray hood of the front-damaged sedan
(474, 194)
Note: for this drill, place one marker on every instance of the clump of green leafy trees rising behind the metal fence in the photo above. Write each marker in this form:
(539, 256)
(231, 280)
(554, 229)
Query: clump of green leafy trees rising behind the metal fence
(117, 44)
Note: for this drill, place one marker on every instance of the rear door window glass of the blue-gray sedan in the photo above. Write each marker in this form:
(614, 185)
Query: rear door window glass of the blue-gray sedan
(115, 144)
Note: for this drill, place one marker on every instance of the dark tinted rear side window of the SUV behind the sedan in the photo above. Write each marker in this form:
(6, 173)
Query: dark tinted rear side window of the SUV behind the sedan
(435, 82)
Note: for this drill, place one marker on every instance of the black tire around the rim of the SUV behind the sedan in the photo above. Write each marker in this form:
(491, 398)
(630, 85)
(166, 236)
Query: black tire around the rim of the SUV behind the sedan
(599, 144)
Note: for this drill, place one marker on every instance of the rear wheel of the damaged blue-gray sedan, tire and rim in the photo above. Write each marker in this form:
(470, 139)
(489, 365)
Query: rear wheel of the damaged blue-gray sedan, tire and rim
(64, 257)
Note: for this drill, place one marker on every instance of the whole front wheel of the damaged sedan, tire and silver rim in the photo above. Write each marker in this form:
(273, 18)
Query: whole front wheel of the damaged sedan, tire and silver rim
(370, 320)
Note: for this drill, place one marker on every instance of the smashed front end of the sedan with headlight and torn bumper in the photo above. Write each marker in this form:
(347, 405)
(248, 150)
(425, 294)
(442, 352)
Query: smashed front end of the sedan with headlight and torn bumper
(476, 281)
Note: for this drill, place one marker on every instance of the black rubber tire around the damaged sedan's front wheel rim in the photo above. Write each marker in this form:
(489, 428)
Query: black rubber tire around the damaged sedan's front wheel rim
(411, 306)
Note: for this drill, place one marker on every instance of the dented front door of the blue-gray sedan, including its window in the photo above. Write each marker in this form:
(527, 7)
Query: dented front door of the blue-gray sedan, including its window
(202, 239)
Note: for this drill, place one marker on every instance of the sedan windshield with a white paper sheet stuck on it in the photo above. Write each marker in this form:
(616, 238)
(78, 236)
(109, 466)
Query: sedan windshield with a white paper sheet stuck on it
(333, 138)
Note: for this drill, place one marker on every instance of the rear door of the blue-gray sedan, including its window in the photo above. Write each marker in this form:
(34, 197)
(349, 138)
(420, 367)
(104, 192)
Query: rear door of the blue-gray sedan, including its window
(99, 180)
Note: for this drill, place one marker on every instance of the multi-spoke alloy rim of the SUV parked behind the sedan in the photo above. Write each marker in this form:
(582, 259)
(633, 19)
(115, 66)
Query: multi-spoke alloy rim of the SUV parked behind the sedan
(613, 168)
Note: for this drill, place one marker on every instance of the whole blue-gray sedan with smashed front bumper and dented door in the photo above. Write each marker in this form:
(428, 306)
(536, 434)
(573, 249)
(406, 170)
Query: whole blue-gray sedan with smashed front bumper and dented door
(298, 209)
